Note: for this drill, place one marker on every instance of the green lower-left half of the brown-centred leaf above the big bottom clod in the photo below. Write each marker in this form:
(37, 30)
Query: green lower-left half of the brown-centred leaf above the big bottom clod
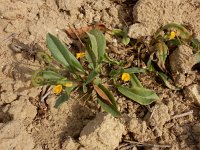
(110, 109)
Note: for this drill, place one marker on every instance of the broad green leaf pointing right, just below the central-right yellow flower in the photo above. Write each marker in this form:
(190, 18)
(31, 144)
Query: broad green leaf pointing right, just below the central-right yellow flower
(140, 95)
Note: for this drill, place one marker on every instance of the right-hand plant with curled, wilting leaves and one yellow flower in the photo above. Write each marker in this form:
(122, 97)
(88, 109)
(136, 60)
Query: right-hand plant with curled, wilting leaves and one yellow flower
(164, 42)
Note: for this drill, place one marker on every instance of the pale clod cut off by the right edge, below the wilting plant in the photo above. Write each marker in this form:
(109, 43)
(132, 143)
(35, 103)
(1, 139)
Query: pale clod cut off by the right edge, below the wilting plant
(192, 92)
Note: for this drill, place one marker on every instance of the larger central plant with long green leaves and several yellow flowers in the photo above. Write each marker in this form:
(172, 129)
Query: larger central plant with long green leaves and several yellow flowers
(68, 73)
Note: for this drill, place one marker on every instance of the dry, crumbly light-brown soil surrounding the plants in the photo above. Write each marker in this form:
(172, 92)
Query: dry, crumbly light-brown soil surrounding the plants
(27, 123)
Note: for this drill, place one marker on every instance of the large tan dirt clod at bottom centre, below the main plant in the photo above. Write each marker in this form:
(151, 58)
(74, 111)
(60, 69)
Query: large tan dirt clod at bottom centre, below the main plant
(102, 133)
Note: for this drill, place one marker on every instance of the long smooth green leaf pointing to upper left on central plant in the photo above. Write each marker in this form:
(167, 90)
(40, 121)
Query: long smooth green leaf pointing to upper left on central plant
(62, 54)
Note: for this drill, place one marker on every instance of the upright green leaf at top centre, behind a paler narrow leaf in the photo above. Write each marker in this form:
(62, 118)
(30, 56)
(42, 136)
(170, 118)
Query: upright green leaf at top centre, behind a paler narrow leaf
(101, 43)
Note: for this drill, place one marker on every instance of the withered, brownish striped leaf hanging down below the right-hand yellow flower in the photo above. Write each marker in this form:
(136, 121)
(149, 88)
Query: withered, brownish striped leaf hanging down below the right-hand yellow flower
(161, 54)
